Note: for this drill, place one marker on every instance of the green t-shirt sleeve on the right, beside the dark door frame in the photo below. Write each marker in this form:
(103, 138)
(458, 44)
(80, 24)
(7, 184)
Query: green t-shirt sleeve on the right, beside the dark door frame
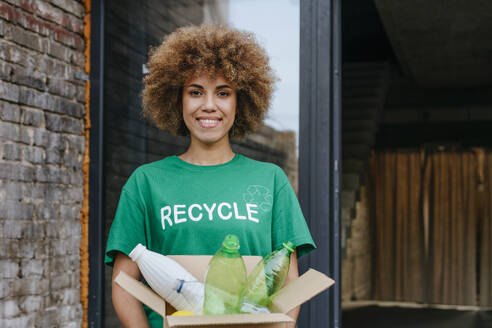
(288, 220)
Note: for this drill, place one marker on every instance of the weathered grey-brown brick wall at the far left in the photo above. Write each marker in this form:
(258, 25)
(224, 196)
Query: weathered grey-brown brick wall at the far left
(41, 148)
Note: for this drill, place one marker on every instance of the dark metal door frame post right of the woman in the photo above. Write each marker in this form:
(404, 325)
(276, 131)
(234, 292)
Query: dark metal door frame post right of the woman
(320, 151)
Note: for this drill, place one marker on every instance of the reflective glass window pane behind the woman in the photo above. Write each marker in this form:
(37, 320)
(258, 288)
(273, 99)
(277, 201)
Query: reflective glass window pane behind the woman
(131, 28)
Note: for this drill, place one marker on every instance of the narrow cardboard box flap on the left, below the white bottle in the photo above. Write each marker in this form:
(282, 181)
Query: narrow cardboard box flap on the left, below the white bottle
(141, 292)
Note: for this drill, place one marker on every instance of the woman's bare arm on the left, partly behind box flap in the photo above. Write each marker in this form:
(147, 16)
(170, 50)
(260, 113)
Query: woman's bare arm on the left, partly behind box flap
(129, 309)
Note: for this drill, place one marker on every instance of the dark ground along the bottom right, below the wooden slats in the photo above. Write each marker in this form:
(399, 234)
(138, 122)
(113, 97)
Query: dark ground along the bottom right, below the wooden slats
(374, 316)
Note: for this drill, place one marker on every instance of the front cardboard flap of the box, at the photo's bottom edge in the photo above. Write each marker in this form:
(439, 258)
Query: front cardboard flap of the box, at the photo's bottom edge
(227, 320)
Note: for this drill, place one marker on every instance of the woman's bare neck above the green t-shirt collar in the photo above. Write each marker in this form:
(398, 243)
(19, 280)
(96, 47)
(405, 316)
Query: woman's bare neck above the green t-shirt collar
(208, 155)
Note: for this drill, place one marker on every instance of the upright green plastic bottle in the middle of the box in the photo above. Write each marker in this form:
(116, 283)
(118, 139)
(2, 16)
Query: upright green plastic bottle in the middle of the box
(225, 279)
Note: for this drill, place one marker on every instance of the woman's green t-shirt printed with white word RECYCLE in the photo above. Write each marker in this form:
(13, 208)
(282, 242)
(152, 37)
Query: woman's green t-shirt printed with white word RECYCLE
(176, 208)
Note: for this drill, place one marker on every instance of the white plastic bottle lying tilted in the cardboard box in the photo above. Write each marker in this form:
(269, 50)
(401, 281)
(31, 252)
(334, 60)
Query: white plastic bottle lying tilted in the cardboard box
(169, 279)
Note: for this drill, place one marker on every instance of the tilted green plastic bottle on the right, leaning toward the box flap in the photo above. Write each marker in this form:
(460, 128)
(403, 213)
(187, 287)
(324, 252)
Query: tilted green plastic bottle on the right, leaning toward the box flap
(266, 279)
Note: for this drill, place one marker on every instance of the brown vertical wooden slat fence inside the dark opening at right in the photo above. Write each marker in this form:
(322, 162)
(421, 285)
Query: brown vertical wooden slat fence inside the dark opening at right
(432, 219)
